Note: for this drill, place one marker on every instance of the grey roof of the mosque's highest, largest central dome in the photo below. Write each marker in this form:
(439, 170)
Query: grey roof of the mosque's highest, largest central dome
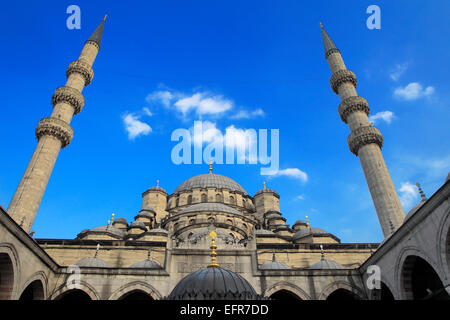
(210, 180)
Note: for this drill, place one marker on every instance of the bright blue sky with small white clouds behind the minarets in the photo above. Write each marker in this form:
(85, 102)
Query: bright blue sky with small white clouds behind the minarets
(234, 64)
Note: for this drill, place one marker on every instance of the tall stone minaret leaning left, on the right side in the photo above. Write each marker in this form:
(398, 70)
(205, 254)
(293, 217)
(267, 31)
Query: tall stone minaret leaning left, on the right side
(365, 141)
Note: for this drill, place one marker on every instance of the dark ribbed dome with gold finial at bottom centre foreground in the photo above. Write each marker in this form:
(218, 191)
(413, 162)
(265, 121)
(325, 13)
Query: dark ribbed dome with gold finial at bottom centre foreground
(213, 283)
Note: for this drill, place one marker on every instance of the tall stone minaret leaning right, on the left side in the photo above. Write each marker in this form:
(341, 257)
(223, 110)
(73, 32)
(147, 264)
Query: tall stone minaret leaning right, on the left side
(54, 133)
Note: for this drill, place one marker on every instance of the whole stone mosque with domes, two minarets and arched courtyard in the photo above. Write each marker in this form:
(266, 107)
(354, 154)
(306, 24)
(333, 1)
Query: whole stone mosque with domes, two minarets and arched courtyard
(210, 239)
